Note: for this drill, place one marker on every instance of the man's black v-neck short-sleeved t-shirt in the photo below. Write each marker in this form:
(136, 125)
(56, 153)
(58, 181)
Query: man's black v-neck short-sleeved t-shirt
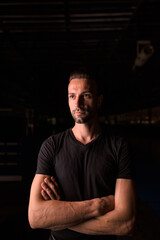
(84, 171)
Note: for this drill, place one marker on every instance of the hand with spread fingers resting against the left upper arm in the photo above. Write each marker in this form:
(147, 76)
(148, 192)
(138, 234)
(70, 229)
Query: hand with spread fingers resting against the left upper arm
(50, 189)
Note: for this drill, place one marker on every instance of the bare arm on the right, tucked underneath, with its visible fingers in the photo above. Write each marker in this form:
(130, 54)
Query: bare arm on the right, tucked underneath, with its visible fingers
(119, 221)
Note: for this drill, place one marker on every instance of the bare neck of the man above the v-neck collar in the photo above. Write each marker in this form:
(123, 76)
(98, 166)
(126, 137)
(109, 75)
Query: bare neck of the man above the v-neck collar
(85, 133)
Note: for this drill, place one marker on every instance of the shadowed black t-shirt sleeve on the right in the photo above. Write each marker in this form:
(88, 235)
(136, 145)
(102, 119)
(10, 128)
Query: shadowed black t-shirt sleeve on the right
(125, 161)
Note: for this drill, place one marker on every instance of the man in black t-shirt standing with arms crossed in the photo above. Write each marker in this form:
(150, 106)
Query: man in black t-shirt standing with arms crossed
(83, 187)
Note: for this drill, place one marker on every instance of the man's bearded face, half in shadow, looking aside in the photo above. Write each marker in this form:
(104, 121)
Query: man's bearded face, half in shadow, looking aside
(83, 99)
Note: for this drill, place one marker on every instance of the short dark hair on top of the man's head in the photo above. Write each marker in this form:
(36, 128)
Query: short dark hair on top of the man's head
(83, 73)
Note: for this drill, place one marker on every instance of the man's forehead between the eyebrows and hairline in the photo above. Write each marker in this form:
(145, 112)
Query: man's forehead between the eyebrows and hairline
(82, 84)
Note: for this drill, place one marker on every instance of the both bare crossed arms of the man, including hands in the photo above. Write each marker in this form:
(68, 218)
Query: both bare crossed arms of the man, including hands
(100, 216)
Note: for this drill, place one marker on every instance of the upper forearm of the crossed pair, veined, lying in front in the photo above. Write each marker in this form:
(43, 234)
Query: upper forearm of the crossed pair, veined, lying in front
(58, 215)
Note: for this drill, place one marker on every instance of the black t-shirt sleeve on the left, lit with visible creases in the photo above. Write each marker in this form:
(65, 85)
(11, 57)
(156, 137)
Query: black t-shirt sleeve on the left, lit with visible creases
(45, 159)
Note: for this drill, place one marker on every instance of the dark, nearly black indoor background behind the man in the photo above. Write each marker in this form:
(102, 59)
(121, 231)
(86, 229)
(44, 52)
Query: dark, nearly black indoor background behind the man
(41, 42)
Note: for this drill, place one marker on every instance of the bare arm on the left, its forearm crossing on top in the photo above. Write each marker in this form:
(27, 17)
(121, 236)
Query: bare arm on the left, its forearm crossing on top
(57, 215)
